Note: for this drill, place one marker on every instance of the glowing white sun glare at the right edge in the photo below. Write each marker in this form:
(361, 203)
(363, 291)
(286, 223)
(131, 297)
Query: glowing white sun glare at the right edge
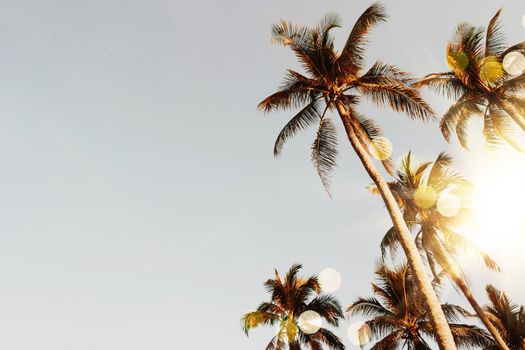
(498, 211)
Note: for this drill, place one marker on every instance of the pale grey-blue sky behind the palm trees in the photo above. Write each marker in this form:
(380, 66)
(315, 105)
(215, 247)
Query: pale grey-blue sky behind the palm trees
(141, 204)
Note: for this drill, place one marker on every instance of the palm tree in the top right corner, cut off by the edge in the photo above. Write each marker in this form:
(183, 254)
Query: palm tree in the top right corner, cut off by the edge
(480, 85)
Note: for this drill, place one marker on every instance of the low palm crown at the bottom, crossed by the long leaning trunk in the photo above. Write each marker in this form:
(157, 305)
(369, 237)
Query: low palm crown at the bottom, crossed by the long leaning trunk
(397, 318)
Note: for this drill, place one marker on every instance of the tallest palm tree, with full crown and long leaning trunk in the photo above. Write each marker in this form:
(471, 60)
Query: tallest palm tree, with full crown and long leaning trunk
(335, 81)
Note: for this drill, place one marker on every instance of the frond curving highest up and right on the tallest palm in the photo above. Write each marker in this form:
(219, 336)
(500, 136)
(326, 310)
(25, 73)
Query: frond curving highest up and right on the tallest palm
(351, 60)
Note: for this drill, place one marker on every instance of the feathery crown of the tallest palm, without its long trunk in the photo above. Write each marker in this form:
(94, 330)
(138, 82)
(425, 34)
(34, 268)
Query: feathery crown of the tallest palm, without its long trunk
(333, 79)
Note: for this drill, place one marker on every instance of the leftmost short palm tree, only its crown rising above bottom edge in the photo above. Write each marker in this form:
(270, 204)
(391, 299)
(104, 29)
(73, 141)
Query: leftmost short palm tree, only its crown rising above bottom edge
(291, 297)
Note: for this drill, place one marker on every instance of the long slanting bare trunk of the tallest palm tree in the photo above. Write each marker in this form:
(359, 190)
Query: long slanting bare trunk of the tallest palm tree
(437, 317)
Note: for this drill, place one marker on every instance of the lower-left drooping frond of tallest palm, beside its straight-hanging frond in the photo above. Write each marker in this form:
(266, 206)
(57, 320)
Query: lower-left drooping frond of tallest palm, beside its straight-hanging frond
(308, 116)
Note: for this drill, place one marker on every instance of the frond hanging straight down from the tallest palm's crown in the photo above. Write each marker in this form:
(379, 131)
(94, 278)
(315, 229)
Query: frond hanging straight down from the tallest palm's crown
(324, 151)
